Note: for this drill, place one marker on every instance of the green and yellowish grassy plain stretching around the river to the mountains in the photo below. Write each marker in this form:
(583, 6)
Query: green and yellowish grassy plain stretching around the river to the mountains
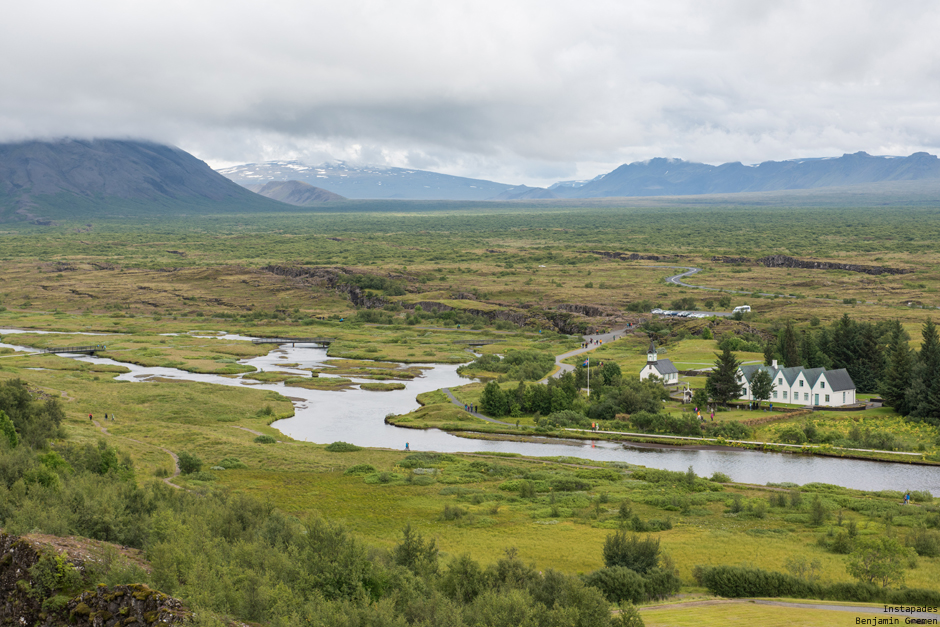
(515, 275)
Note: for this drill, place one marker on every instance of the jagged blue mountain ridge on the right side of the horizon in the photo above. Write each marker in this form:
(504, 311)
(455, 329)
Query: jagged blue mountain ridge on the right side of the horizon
(675, 177)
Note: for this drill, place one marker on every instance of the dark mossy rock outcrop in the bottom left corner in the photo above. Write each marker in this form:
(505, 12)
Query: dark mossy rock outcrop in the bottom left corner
(39, 586)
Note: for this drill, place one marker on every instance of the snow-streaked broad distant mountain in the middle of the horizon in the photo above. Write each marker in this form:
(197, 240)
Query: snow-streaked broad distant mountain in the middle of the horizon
(368, 181)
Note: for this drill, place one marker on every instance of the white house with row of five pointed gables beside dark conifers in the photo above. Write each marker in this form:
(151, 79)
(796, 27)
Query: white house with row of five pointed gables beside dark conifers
(815, 387)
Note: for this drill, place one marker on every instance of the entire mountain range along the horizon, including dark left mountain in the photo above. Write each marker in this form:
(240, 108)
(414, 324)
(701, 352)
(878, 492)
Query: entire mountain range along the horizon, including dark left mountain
(42, 181)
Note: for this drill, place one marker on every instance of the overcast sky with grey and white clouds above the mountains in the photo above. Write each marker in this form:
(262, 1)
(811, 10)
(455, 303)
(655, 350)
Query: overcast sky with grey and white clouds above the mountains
(515, 91)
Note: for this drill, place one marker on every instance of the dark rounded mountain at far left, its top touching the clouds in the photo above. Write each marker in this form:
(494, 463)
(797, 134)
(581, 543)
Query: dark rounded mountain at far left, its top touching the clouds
(69, 178)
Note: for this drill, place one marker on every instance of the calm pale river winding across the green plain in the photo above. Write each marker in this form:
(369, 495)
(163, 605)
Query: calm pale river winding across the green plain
(357, 416)
